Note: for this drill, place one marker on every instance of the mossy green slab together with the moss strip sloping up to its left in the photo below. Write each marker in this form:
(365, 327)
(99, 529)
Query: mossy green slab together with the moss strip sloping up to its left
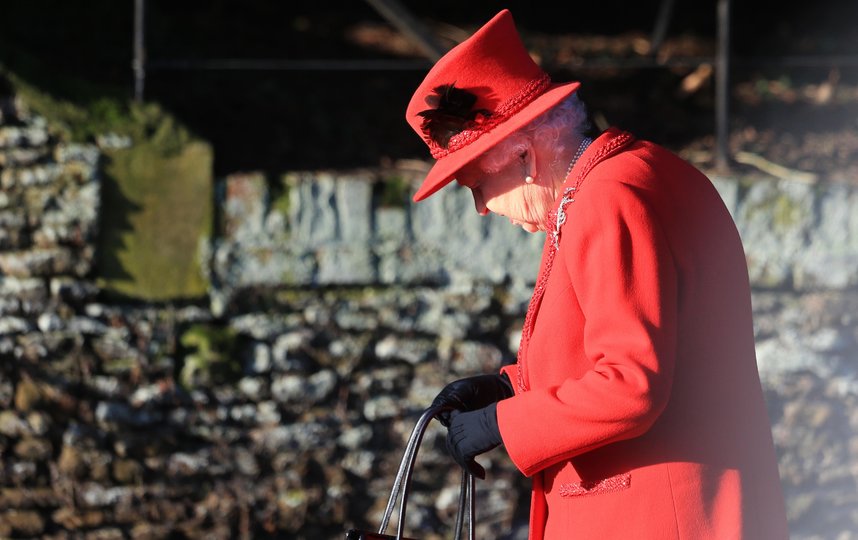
(157, 200)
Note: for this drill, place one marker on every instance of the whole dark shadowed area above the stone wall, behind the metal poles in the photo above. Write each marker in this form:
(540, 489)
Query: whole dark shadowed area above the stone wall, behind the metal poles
(310, 119)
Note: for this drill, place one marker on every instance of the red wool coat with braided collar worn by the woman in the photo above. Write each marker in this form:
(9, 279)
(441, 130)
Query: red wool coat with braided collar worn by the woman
(638, 409)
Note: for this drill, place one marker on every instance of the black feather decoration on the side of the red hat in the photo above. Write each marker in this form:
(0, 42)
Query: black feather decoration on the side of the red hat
(453, 113)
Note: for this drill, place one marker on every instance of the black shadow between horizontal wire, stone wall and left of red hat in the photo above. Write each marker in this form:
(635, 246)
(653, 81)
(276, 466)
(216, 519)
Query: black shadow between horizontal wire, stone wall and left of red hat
(276, 121)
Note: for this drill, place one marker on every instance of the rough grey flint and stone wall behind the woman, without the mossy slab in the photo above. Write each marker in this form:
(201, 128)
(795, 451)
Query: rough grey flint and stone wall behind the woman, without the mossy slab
(278, 408)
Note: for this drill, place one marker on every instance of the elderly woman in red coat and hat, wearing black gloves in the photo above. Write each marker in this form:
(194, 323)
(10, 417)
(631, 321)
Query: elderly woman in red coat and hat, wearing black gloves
(635, 405)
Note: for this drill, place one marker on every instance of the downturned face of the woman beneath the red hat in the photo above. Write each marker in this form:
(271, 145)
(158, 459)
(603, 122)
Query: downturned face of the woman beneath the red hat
(506, 193)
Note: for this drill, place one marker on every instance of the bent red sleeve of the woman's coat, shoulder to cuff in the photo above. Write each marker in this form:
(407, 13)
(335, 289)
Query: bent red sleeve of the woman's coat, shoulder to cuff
(622, 274)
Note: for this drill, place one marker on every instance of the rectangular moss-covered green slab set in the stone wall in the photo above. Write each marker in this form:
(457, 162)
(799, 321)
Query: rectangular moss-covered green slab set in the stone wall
(157, 208)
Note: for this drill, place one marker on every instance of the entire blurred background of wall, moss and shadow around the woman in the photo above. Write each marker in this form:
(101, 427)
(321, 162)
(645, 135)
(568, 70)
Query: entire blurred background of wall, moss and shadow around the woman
(220, 314)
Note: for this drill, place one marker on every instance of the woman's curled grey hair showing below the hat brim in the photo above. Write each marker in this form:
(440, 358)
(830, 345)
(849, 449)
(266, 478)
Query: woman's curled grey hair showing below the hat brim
(552, 128)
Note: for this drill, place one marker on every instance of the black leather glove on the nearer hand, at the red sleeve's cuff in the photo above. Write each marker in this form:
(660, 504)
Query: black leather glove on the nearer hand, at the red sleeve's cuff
(472, 433)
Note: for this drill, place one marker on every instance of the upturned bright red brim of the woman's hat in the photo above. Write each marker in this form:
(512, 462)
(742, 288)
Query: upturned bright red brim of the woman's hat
(445, 169)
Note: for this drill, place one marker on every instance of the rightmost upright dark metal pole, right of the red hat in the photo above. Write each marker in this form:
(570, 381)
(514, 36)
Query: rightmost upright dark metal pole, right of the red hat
(722, 88)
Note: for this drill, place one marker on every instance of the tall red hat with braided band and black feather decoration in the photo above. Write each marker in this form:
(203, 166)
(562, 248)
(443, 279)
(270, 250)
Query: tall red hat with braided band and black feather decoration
(478, 93)
